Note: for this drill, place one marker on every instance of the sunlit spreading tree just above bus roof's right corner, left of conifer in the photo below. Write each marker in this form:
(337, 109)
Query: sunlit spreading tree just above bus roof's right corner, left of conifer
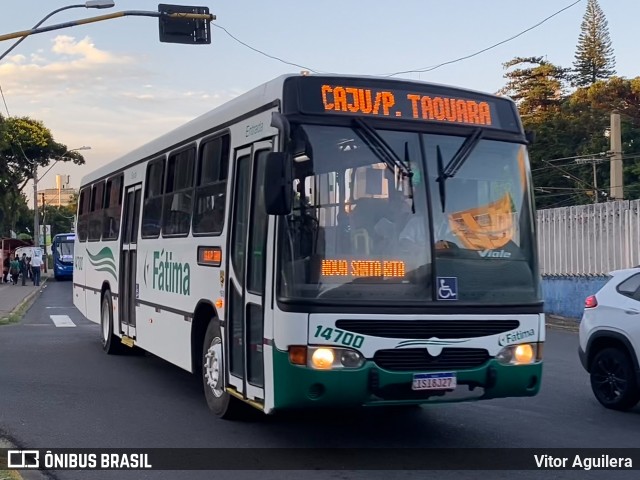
(537, 85)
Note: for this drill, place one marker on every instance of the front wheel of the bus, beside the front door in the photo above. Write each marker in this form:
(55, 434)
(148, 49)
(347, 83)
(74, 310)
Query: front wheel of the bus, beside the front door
(219, 401)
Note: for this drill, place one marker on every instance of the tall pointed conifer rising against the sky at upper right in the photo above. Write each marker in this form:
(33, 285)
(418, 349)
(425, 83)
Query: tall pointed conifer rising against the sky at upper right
(594, 59)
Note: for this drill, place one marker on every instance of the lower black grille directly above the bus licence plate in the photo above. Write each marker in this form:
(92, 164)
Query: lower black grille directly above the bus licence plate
(419, 359)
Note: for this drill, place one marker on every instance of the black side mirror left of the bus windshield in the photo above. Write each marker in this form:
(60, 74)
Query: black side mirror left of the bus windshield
(278, 187)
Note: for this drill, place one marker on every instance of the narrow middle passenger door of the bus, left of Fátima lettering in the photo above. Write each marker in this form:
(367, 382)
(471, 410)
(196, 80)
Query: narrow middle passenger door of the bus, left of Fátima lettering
(127, 287)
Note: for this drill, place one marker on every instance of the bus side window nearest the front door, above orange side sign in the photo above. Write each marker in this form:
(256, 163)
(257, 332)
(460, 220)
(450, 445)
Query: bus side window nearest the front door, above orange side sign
(211, 189)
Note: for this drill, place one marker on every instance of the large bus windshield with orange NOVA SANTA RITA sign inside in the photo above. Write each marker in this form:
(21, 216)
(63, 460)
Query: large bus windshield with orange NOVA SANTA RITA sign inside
(362, 231)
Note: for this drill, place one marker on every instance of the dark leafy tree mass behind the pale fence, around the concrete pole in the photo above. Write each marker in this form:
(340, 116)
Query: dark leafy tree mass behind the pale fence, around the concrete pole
(580, 127)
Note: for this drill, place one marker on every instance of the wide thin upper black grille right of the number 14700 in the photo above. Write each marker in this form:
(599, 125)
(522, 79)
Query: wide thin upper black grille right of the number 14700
(425, 329)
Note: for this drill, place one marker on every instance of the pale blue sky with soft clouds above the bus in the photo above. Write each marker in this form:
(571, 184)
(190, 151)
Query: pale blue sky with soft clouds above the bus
(113, 86)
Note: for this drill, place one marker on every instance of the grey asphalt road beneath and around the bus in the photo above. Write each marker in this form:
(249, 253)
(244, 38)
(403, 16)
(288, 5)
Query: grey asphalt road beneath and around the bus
(59, 390)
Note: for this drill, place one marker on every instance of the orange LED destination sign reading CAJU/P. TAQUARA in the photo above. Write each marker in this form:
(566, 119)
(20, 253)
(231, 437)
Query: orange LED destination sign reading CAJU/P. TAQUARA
(406, 104)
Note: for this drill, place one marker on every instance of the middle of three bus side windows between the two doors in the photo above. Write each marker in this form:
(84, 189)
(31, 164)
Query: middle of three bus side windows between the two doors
(176, 215)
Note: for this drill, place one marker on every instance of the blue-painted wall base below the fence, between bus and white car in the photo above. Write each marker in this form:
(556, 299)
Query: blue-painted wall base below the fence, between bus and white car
(565, 295)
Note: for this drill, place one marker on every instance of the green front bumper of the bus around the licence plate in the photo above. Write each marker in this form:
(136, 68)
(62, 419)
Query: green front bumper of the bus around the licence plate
(302, 387)
